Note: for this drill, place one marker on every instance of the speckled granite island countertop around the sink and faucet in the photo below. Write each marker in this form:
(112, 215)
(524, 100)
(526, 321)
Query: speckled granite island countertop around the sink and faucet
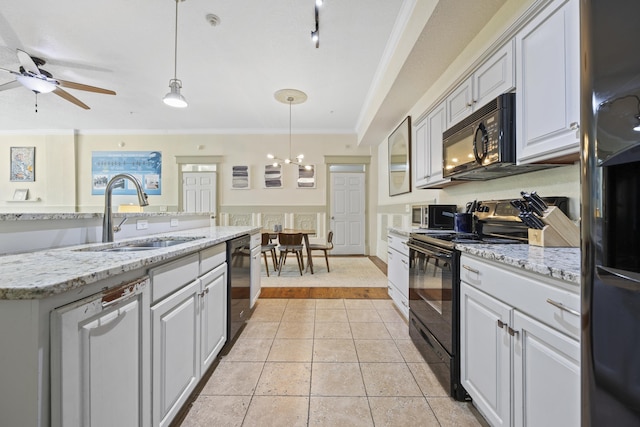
(45, 273)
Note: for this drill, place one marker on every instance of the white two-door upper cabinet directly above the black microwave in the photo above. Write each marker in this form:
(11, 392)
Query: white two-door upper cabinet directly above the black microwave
(494, 77)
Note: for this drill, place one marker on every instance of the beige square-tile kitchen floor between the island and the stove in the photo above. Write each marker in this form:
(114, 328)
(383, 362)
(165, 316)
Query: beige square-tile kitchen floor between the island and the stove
(326, 362)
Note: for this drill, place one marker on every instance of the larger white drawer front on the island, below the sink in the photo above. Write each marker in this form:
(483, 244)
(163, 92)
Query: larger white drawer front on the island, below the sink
(171, 276)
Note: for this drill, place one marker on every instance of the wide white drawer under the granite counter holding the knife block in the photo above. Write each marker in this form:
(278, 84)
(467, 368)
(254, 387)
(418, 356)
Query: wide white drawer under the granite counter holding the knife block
(548, 300)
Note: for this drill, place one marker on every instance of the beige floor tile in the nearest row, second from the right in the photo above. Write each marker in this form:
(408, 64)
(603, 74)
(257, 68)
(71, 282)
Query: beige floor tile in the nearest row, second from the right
(402, 411)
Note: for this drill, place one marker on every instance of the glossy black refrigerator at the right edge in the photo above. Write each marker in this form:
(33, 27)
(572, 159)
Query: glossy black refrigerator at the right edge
(610, 168)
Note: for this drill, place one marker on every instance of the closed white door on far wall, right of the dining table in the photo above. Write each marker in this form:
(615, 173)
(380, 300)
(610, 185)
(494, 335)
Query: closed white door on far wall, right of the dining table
(347, 213)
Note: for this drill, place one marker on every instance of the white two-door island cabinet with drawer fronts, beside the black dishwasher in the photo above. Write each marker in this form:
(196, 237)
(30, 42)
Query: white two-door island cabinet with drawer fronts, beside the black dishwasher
(189, 327)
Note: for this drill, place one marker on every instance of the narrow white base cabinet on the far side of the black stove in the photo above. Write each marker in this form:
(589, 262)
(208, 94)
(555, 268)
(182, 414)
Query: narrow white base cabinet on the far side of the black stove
(398, 271)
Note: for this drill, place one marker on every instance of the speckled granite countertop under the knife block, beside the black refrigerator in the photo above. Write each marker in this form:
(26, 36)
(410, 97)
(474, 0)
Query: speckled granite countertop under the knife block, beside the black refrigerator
(559, 263)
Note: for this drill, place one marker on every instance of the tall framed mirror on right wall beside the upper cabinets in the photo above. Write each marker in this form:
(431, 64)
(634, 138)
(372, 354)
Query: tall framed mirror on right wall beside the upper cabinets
(400, 159)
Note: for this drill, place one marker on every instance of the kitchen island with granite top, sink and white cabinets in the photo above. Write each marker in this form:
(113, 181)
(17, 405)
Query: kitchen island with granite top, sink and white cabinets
(38, 290)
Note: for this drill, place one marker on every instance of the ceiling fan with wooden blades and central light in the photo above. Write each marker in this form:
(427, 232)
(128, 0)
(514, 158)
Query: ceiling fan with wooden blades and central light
(34, 78)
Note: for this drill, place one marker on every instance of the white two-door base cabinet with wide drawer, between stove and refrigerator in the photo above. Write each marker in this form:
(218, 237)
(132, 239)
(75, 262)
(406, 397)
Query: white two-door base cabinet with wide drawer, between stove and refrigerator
(520, 345)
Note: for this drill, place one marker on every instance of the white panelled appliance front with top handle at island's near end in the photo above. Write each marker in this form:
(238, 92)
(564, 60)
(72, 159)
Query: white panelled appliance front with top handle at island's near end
(99, 359)
